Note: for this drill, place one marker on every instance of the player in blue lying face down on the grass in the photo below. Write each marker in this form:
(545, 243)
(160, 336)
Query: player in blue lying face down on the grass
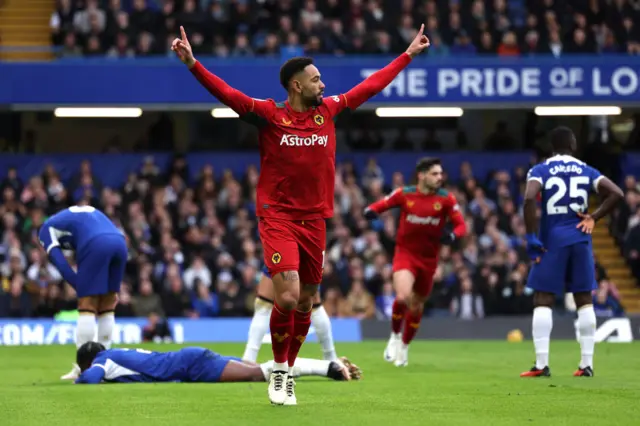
(191, 365)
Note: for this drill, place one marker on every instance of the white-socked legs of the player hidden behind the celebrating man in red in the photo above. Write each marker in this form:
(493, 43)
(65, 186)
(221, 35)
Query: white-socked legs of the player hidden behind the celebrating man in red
(262, 314)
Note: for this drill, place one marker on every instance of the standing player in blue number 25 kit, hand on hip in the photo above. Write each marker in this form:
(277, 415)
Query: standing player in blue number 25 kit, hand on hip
(562, 250)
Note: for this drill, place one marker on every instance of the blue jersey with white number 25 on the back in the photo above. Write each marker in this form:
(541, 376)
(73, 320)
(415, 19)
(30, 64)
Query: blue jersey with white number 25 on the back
(566, 185)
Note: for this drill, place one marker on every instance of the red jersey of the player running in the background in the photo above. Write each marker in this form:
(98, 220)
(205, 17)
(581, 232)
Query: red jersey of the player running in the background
(422, 218)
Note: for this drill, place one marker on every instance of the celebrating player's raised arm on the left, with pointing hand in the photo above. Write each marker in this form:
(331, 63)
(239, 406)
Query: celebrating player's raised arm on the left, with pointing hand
(233, 98)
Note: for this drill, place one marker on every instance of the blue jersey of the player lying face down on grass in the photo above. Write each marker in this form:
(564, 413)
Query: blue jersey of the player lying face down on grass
(137, 365)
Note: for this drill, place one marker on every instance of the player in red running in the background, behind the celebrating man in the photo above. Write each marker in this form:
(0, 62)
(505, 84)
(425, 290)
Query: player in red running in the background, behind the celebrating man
(425, 209)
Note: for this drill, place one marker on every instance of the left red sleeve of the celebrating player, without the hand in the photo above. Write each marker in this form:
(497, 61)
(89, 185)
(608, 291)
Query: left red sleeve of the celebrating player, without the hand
(233, 98)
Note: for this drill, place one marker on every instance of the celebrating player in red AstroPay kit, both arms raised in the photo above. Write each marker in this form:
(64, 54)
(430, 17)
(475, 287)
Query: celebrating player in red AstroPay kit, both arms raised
(296, 186)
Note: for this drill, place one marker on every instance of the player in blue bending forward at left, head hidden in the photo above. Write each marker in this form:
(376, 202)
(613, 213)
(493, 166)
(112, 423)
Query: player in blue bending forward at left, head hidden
(101, 254)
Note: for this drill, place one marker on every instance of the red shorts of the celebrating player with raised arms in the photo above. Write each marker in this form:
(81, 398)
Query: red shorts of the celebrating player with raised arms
(294, 246)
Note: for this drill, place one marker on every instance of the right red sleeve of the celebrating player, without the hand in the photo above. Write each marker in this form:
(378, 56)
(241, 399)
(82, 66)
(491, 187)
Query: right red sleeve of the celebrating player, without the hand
(370, 87)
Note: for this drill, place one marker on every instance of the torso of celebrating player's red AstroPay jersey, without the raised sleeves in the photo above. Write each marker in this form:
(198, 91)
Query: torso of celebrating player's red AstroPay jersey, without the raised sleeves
(297, 159)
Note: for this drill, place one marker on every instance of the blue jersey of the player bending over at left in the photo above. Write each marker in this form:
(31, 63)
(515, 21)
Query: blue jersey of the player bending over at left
(74, 227)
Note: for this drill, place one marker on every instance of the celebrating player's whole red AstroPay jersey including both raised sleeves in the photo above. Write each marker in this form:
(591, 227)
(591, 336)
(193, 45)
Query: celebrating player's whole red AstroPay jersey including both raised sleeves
(297, 149)
